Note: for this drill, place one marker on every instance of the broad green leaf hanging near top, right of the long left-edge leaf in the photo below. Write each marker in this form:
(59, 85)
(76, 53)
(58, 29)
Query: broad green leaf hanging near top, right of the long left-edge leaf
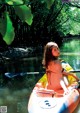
(24, 13)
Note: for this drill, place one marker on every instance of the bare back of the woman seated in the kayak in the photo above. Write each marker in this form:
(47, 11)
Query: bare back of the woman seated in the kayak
(54, 75)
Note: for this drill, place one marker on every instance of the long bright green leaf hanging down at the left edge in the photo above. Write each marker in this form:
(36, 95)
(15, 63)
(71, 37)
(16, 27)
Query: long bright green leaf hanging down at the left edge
(7, 29)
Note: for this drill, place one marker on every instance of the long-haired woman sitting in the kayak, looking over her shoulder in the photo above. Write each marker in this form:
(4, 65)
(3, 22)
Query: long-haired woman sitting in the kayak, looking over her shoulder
(54, 68)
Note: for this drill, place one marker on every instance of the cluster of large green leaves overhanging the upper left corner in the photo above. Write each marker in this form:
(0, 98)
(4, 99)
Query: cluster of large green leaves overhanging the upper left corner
(6, 27)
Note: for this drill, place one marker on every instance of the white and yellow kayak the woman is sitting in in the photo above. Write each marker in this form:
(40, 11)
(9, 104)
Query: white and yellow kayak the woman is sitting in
(43, 100)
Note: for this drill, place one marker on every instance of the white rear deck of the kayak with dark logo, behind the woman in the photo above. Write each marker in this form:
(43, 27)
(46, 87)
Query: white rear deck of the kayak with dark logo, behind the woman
(46, 103)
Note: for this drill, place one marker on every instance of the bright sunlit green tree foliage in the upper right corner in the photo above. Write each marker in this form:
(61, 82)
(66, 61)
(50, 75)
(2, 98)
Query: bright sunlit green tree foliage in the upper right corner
(72, 25)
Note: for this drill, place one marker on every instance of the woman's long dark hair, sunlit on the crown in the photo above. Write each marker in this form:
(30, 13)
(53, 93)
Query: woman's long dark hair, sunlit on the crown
(47, 55)
